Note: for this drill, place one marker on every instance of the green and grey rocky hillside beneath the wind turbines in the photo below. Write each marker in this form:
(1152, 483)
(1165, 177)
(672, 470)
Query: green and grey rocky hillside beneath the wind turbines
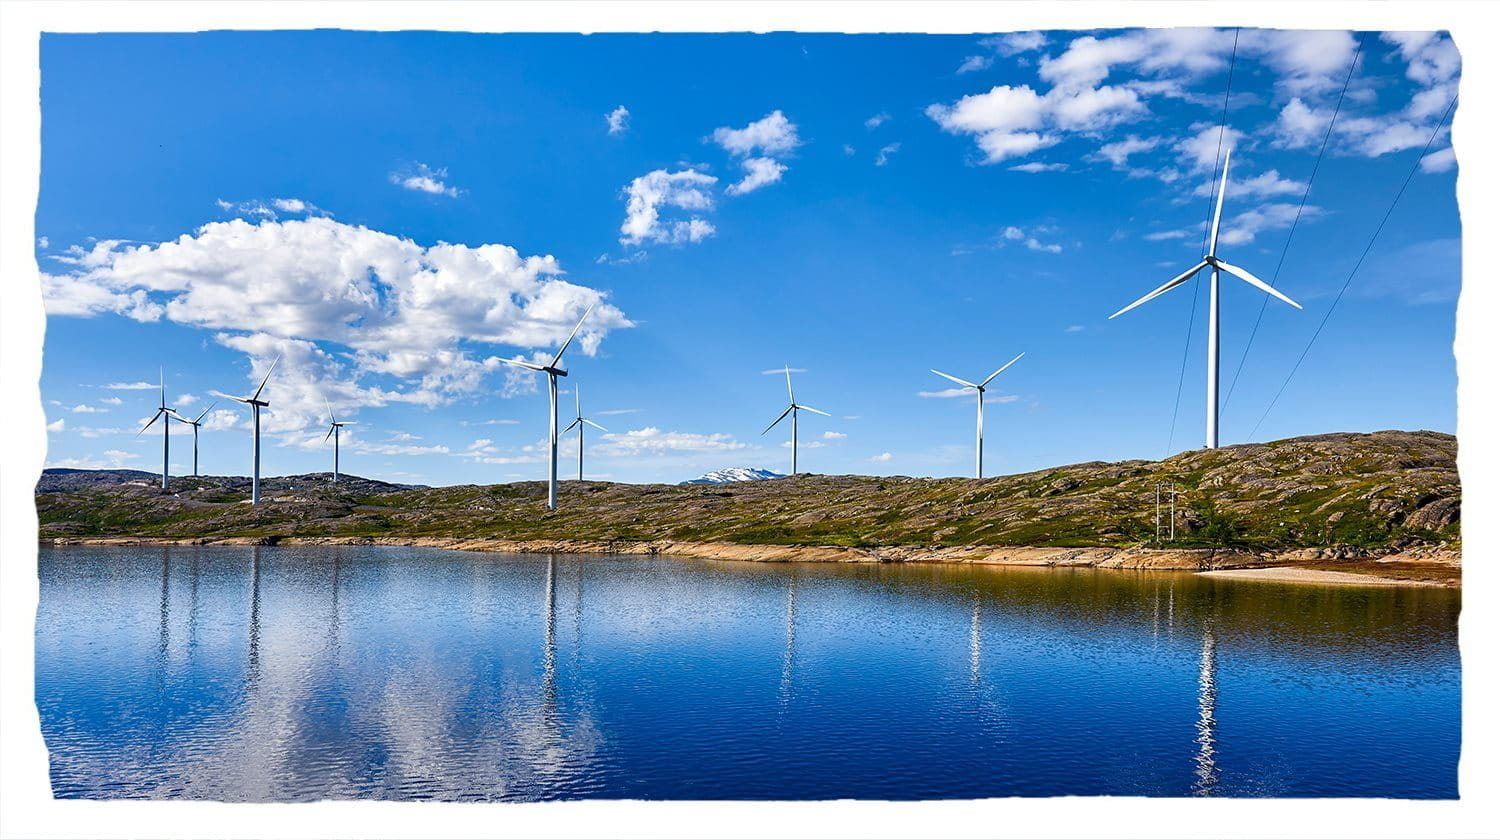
(1378, 491)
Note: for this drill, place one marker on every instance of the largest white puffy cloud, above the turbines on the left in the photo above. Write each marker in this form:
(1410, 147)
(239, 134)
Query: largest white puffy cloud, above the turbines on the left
(340, 304)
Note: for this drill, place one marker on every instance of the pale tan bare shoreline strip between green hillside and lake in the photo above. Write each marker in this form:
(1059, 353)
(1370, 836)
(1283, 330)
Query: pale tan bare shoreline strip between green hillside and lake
(1414, 568)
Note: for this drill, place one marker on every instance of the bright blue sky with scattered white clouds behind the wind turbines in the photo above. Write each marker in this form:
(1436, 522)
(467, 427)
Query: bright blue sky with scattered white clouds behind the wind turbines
(394, 214)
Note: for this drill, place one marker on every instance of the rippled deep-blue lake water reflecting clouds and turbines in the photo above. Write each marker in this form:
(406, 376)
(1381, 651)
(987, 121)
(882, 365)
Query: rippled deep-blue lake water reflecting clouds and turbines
(410, 674)
